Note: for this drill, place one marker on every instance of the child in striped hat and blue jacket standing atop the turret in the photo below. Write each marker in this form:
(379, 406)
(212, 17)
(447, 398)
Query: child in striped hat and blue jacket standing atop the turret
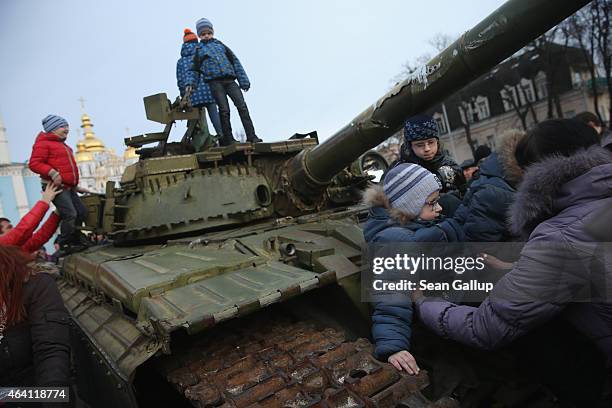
(218, 66)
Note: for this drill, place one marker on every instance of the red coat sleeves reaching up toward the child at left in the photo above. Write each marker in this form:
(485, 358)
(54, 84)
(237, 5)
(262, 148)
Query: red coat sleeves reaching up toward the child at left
(22, 235)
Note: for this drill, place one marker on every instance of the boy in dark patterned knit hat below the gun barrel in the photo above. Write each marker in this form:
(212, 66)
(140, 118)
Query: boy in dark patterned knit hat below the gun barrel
(422, 146)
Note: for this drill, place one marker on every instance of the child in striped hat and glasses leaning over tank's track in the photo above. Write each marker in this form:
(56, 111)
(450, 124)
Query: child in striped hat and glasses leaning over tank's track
(405, 209)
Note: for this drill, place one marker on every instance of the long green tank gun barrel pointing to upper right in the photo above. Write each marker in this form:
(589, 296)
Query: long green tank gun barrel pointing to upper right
(491, 41)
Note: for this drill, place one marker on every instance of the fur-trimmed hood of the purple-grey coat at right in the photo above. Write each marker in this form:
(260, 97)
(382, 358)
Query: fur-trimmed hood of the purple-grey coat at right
(560, 182)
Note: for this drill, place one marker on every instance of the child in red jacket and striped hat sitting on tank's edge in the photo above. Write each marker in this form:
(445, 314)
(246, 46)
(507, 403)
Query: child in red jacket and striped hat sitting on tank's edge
(54, 161)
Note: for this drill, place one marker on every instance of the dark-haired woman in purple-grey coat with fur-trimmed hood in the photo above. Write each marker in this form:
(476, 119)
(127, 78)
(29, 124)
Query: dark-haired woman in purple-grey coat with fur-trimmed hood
(561, 267)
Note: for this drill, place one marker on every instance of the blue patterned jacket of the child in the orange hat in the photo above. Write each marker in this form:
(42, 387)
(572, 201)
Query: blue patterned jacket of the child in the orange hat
(185, 76)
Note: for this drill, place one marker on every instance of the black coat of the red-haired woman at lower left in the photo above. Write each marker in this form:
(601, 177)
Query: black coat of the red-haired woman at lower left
(36, 352)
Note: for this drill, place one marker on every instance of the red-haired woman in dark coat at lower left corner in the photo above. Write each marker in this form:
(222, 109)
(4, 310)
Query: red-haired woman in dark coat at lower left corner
(34, 326)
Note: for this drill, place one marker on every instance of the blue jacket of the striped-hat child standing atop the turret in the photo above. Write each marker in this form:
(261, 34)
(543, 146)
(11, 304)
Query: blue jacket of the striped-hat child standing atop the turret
(214, 60)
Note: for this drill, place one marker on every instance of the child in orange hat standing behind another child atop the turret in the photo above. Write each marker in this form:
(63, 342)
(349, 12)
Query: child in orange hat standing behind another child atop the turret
(199, 95)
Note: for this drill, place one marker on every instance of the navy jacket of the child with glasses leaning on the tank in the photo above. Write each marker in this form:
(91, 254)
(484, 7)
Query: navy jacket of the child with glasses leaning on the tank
(391, 321)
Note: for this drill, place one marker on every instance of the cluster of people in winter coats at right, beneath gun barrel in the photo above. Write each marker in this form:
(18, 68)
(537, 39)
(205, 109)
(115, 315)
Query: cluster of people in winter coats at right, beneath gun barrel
(543, 188)
